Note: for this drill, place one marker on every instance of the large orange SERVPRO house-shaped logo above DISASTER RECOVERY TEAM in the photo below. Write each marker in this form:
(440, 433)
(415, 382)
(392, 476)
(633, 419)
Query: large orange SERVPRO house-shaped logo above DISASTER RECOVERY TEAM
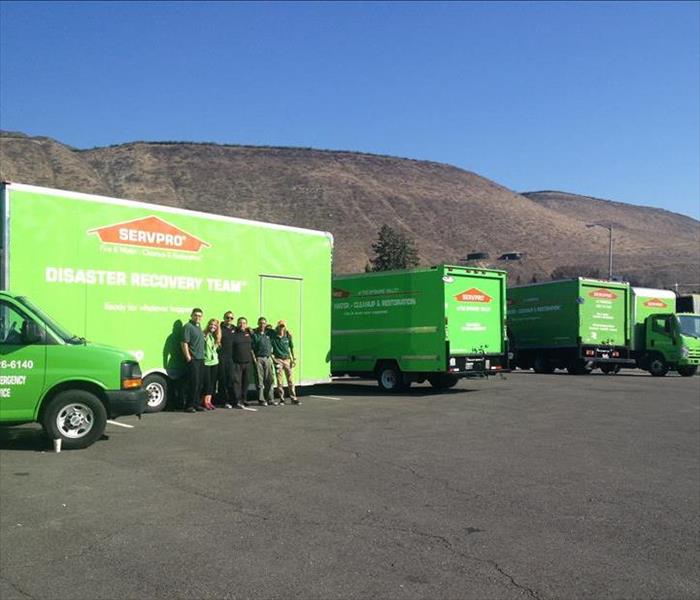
(149, 232)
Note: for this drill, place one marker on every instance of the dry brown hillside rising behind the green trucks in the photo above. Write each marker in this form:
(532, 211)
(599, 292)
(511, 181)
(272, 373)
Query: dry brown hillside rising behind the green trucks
(449, 211)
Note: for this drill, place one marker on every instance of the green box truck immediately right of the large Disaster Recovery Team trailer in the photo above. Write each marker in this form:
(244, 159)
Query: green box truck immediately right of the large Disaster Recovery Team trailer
(436, 324)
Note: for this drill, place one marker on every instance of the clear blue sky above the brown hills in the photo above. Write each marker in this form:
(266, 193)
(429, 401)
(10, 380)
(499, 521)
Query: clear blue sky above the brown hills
(601, 99)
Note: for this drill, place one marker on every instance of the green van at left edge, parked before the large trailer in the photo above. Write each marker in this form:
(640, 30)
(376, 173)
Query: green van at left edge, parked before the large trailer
(67, 384)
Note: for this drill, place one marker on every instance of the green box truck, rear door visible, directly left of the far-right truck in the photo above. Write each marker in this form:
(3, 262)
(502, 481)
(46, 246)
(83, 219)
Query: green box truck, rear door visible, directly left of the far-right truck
(577, 324)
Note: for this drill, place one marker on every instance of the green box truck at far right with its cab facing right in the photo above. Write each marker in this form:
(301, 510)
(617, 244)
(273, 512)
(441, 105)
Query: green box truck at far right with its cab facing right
(663, 340)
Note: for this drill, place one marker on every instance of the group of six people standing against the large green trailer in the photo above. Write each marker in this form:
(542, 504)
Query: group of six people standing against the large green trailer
(224, 358)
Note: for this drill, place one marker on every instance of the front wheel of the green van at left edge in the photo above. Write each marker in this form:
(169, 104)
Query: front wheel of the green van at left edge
(76, 417)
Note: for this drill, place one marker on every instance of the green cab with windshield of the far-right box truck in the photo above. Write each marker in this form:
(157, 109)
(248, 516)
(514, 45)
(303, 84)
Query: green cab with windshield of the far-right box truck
(672, 342)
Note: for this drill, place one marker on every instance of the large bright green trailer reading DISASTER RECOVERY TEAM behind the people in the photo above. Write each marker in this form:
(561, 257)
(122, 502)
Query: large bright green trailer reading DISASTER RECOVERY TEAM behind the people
(128, 274)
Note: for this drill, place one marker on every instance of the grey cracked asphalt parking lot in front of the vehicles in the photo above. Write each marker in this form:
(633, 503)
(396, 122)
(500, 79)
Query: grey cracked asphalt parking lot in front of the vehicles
(533, 486)
